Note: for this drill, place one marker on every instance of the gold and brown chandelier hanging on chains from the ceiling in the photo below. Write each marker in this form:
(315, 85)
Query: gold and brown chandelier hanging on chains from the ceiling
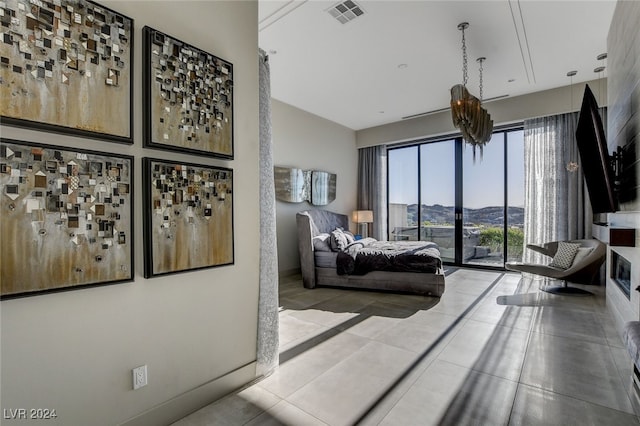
(467, 112)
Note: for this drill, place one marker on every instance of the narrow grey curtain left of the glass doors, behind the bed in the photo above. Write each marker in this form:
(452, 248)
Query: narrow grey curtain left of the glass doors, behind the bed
(372, 187)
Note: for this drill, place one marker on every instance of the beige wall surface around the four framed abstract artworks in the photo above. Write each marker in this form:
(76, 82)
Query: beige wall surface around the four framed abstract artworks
(74, 351)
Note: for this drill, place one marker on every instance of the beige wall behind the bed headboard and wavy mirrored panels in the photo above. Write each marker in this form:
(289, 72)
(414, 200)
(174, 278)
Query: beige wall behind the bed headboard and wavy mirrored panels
(309, 142)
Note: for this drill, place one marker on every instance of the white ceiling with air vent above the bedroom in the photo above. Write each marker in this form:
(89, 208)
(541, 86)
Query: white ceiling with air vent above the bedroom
(352, 74)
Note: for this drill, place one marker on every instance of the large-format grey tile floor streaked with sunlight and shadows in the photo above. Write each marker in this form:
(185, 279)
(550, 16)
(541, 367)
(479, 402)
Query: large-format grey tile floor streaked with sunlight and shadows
(494, 350)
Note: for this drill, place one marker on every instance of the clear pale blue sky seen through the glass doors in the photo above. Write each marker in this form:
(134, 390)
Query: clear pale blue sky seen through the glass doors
(482, 181)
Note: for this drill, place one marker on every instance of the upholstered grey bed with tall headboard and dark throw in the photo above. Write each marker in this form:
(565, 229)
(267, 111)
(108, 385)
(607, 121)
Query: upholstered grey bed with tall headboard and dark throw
(411, 267)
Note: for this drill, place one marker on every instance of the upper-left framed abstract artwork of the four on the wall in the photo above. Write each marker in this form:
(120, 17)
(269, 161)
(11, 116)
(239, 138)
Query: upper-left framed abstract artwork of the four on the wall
(66, 66)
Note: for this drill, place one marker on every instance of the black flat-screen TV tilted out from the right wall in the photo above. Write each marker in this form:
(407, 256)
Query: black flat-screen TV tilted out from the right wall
(594, 155)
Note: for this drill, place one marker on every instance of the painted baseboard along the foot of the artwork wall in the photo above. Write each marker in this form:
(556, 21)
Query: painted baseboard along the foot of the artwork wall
(191, 401)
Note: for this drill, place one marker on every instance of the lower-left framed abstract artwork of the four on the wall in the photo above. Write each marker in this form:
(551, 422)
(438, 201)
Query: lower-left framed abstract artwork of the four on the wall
(66, 218)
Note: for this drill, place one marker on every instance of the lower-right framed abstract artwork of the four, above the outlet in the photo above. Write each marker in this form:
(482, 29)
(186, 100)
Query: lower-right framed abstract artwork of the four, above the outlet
(188, 216)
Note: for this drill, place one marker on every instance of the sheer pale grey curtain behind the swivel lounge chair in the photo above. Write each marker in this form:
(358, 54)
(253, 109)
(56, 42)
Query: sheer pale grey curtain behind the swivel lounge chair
(556, 202)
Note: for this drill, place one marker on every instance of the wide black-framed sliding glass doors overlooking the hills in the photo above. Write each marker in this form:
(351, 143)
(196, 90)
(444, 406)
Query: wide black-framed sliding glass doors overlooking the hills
(472, 208)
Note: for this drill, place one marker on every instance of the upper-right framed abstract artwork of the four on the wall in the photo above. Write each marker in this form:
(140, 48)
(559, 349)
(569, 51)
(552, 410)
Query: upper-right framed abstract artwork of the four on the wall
(188, 97)
